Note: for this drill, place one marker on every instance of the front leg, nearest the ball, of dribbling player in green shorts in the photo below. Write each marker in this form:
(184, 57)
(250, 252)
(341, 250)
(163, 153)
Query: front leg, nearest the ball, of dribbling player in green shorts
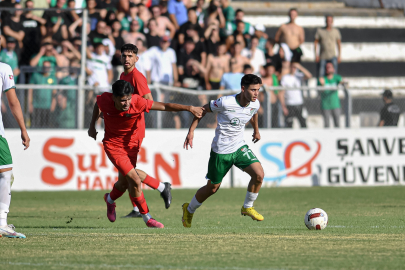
(247, 161)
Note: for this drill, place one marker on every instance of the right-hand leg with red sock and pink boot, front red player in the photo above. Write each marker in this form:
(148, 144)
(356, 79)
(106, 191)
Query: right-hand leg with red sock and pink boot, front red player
(136, 195)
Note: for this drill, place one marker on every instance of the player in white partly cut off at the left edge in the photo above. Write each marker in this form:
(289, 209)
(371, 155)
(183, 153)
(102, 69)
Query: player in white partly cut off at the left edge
(6, 162)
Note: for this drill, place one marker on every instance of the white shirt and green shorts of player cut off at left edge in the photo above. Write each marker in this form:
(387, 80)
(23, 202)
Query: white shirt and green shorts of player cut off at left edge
(7, 82)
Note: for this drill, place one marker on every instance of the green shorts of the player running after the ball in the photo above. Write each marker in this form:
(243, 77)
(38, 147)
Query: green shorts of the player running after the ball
(219, 164)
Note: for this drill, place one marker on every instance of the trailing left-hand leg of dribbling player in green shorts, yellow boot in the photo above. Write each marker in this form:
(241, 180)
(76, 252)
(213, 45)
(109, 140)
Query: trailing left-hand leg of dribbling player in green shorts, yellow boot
(218, 167)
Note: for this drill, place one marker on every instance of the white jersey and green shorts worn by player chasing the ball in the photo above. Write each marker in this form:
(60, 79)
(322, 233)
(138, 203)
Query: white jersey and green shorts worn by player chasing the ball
(228, 146)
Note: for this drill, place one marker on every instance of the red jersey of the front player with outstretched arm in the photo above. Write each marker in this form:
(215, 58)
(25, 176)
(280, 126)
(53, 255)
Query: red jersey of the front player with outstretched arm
(123, 129)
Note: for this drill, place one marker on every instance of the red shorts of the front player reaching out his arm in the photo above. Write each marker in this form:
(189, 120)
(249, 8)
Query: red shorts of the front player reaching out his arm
(123, 158)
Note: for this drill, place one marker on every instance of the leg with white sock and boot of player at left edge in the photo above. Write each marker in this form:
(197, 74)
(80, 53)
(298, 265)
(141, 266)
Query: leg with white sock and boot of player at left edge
(6, 180)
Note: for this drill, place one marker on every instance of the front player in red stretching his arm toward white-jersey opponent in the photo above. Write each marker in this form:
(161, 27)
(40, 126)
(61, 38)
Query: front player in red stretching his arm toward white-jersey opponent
(123, 134)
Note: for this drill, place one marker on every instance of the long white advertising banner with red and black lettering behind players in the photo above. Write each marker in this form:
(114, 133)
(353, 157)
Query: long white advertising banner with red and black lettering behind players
(70, 160)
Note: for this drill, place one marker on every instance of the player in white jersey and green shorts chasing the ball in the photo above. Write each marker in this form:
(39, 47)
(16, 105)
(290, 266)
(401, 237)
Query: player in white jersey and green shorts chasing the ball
(228, 147)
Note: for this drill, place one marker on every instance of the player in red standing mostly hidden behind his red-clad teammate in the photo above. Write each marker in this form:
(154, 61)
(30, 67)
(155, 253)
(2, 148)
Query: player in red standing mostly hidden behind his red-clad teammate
(138, 81)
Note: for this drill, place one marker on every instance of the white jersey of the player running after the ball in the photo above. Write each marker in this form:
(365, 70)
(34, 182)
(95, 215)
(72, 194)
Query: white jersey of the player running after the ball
(232, 119)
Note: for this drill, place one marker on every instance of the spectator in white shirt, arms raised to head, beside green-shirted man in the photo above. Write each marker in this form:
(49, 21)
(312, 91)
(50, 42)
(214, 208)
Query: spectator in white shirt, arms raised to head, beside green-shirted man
(292, 100)
